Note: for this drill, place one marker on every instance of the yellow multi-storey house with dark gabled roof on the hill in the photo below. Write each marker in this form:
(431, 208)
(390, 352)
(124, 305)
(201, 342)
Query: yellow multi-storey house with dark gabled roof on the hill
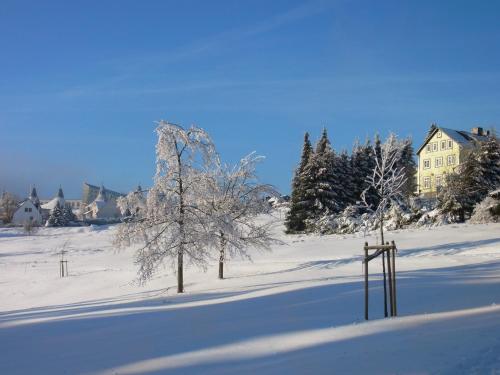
(442, 152)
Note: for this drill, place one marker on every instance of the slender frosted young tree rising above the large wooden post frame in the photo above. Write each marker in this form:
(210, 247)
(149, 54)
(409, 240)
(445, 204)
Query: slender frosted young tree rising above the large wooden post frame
(387, 179)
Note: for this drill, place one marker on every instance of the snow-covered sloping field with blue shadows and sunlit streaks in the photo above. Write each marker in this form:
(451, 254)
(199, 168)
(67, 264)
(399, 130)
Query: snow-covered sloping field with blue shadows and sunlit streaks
(296, 310)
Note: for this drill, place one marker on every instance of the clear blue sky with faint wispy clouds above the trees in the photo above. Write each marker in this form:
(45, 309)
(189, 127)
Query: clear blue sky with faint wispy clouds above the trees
(82, 82)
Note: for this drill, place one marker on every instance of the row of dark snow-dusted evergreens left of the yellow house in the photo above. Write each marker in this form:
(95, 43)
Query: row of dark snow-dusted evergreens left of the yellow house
(327, 182)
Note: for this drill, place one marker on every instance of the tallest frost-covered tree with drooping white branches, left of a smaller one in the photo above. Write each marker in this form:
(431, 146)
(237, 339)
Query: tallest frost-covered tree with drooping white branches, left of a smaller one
(171, 227)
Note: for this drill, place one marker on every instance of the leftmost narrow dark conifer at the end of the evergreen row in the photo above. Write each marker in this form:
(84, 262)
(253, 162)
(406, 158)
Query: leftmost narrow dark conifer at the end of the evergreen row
(299, 205)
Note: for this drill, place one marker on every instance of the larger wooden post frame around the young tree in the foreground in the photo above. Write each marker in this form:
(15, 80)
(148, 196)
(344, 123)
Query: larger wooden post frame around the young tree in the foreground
(387, 251)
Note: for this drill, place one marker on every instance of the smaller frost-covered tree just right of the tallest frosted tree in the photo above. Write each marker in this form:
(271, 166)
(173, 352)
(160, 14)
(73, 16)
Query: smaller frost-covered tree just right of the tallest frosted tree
(233, 201)
